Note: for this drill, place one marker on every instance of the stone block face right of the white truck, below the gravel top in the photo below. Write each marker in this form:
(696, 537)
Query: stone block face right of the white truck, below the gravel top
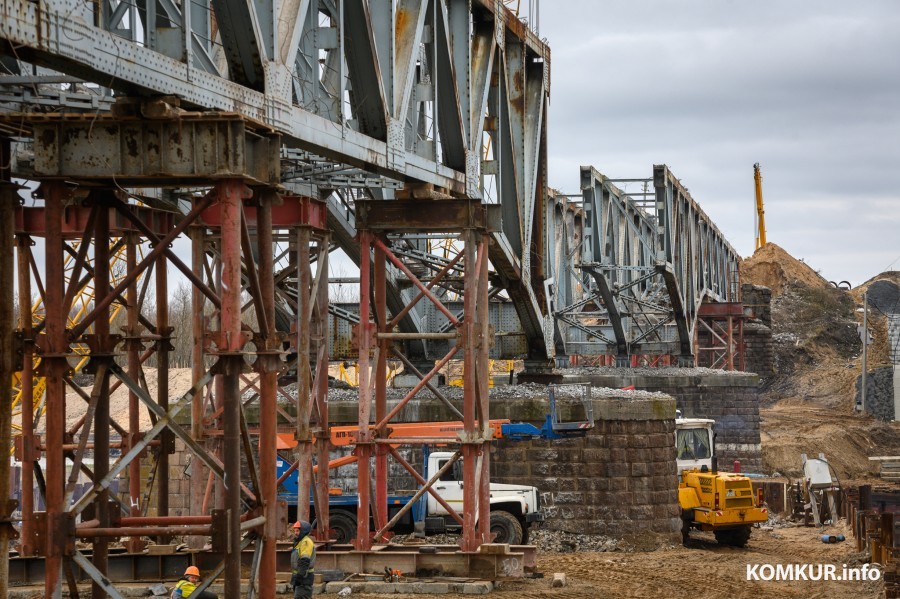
(619, 480)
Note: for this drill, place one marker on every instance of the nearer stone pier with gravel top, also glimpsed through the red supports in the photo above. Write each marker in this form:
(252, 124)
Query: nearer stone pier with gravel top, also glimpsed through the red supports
(619, 480)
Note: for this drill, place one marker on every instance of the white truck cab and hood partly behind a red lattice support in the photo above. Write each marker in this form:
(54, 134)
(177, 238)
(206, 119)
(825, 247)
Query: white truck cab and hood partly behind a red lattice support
(514, 508)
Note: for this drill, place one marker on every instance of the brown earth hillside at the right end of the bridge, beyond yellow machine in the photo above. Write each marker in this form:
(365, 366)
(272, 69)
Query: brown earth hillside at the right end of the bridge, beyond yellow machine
(808, 404)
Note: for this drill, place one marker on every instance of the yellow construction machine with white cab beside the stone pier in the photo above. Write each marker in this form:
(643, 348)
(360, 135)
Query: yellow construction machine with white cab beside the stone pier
(721, 502)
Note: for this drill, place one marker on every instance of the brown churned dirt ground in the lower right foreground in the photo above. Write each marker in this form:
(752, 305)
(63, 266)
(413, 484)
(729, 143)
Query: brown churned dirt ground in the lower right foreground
(703, 570)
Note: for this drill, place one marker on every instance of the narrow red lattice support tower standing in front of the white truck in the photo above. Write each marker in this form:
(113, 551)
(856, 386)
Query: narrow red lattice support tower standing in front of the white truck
(376, 334)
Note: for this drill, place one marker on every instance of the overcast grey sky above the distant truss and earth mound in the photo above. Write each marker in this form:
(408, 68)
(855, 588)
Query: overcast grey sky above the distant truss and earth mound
(810, 89)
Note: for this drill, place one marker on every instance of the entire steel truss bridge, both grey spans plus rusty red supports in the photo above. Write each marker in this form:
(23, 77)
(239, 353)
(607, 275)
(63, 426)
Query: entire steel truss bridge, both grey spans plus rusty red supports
(412, 134)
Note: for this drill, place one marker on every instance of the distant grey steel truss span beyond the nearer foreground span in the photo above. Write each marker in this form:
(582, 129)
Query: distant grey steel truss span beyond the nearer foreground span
(633, 268)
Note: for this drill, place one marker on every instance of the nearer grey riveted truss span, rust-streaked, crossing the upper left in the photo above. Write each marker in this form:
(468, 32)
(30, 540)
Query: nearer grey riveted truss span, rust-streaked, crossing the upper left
(442, 97)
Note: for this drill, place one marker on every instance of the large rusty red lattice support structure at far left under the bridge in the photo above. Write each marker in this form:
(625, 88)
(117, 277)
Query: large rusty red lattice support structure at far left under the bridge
(237, 233)
